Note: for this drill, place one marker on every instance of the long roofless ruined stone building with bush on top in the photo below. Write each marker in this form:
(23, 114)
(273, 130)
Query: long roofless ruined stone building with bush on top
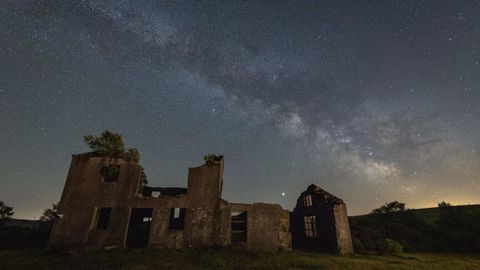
(104, 204)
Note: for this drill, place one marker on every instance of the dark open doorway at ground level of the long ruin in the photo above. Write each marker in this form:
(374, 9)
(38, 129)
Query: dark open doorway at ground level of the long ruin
(139, 227)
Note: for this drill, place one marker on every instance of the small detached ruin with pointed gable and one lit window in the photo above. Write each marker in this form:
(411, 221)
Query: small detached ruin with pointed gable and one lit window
(320, 222)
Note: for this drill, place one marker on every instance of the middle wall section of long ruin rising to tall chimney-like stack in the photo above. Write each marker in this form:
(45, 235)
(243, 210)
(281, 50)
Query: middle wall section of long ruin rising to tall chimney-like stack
(202, 211)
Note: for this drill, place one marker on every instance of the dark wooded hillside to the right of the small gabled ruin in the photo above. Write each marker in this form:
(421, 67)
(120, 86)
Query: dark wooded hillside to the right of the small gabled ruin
(444, 229)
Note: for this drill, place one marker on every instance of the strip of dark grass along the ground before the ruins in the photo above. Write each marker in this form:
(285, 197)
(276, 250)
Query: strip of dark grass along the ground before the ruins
(226, 259)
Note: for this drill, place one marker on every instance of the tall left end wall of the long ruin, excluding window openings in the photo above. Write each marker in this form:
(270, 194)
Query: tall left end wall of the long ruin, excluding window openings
(84, 191)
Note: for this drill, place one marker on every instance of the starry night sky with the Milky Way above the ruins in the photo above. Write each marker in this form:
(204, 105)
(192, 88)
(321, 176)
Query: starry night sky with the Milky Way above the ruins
(373, 101)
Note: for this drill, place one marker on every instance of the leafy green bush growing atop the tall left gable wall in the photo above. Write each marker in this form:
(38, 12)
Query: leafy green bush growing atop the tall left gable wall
(111, 144)
